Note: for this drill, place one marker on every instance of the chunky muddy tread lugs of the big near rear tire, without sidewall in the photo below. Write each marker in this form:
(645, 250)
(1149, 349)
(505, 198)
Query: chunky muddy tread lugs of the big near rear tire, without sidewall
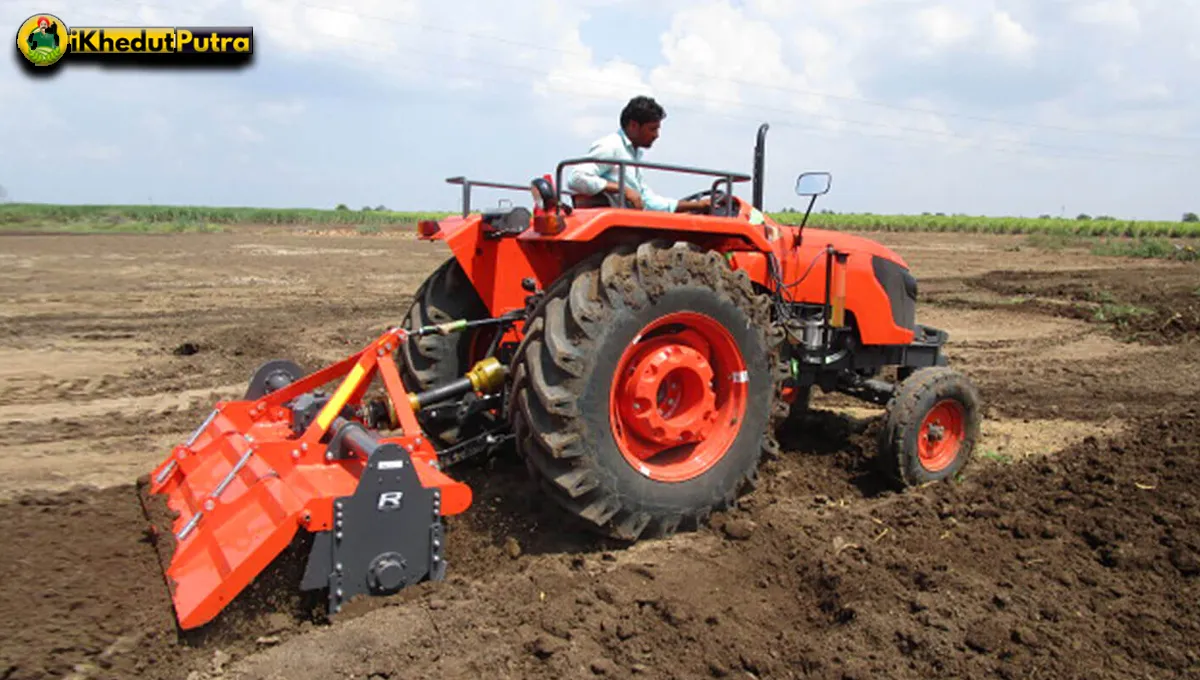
(554, 365)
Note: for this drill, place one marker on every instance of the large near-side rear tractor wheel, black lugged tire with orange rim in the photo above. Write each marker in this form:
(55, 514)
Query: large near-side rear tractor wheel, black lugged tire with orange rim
(647, 389)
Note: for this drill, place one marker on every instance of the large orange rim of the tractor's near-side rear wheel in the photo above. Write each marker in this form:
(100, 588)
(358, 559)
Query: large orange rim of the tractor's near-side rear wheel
(679, 398)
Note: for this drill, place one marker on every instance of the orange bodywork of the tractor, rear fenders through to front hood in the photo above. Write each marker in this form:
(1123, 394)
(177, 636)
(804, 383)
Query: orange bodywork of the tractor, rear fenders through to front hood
(502, 266)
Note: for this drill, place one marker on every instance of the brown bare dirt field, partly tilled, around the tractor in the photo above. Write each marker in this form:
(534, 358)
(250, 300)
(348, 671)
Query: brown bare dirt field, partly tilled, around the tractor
(1071, 550)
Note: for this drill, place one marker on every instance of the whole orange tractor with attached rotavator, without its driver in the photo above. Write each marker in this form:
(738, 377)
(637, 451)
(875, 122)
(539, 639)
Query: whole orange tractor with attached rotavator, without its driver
(641, 364)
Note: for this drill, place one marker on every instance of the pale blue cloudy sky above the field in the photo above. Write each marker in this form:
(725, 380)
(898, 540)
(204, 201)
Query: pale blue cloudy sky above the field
(1003, 107)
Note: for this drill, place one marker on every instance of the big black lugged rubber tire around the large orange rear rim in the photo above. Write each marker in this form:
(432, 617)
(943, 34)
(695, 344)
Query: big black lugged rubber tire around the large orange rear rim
(563, 375)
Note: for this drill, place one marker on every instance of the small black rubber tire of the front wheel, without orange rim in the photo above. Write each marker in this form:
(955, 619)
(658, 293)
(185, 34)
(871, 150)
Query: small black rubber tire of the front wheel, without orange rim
(914, 399)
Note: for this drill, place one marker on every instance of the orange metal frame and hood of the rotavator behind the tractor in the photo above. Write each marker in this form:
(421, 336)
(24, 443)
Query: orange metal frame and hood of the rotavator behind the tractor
(244, 483)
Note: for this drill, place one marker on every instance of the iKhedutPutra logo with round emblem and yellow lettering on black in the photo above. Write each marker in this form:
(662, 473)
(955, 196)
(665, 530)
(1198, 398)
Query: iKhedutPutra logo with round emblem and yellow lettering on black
(45, 40)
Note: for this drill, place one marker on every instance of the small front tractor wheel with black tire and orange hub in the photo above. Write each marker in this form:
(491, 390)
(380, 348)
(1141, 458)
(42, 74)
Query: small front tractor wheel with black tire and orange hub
(932, 428)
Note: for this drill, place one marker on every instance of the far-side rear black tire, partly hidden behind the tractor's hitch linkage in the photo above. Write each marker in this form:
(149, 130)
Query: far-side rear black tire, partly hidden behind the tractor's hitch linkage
(446, 296)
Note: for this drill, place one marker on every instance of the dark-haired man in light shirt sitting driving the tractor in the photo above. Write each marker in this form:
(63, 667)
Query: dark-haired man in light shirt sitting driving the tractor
(640, 123)
